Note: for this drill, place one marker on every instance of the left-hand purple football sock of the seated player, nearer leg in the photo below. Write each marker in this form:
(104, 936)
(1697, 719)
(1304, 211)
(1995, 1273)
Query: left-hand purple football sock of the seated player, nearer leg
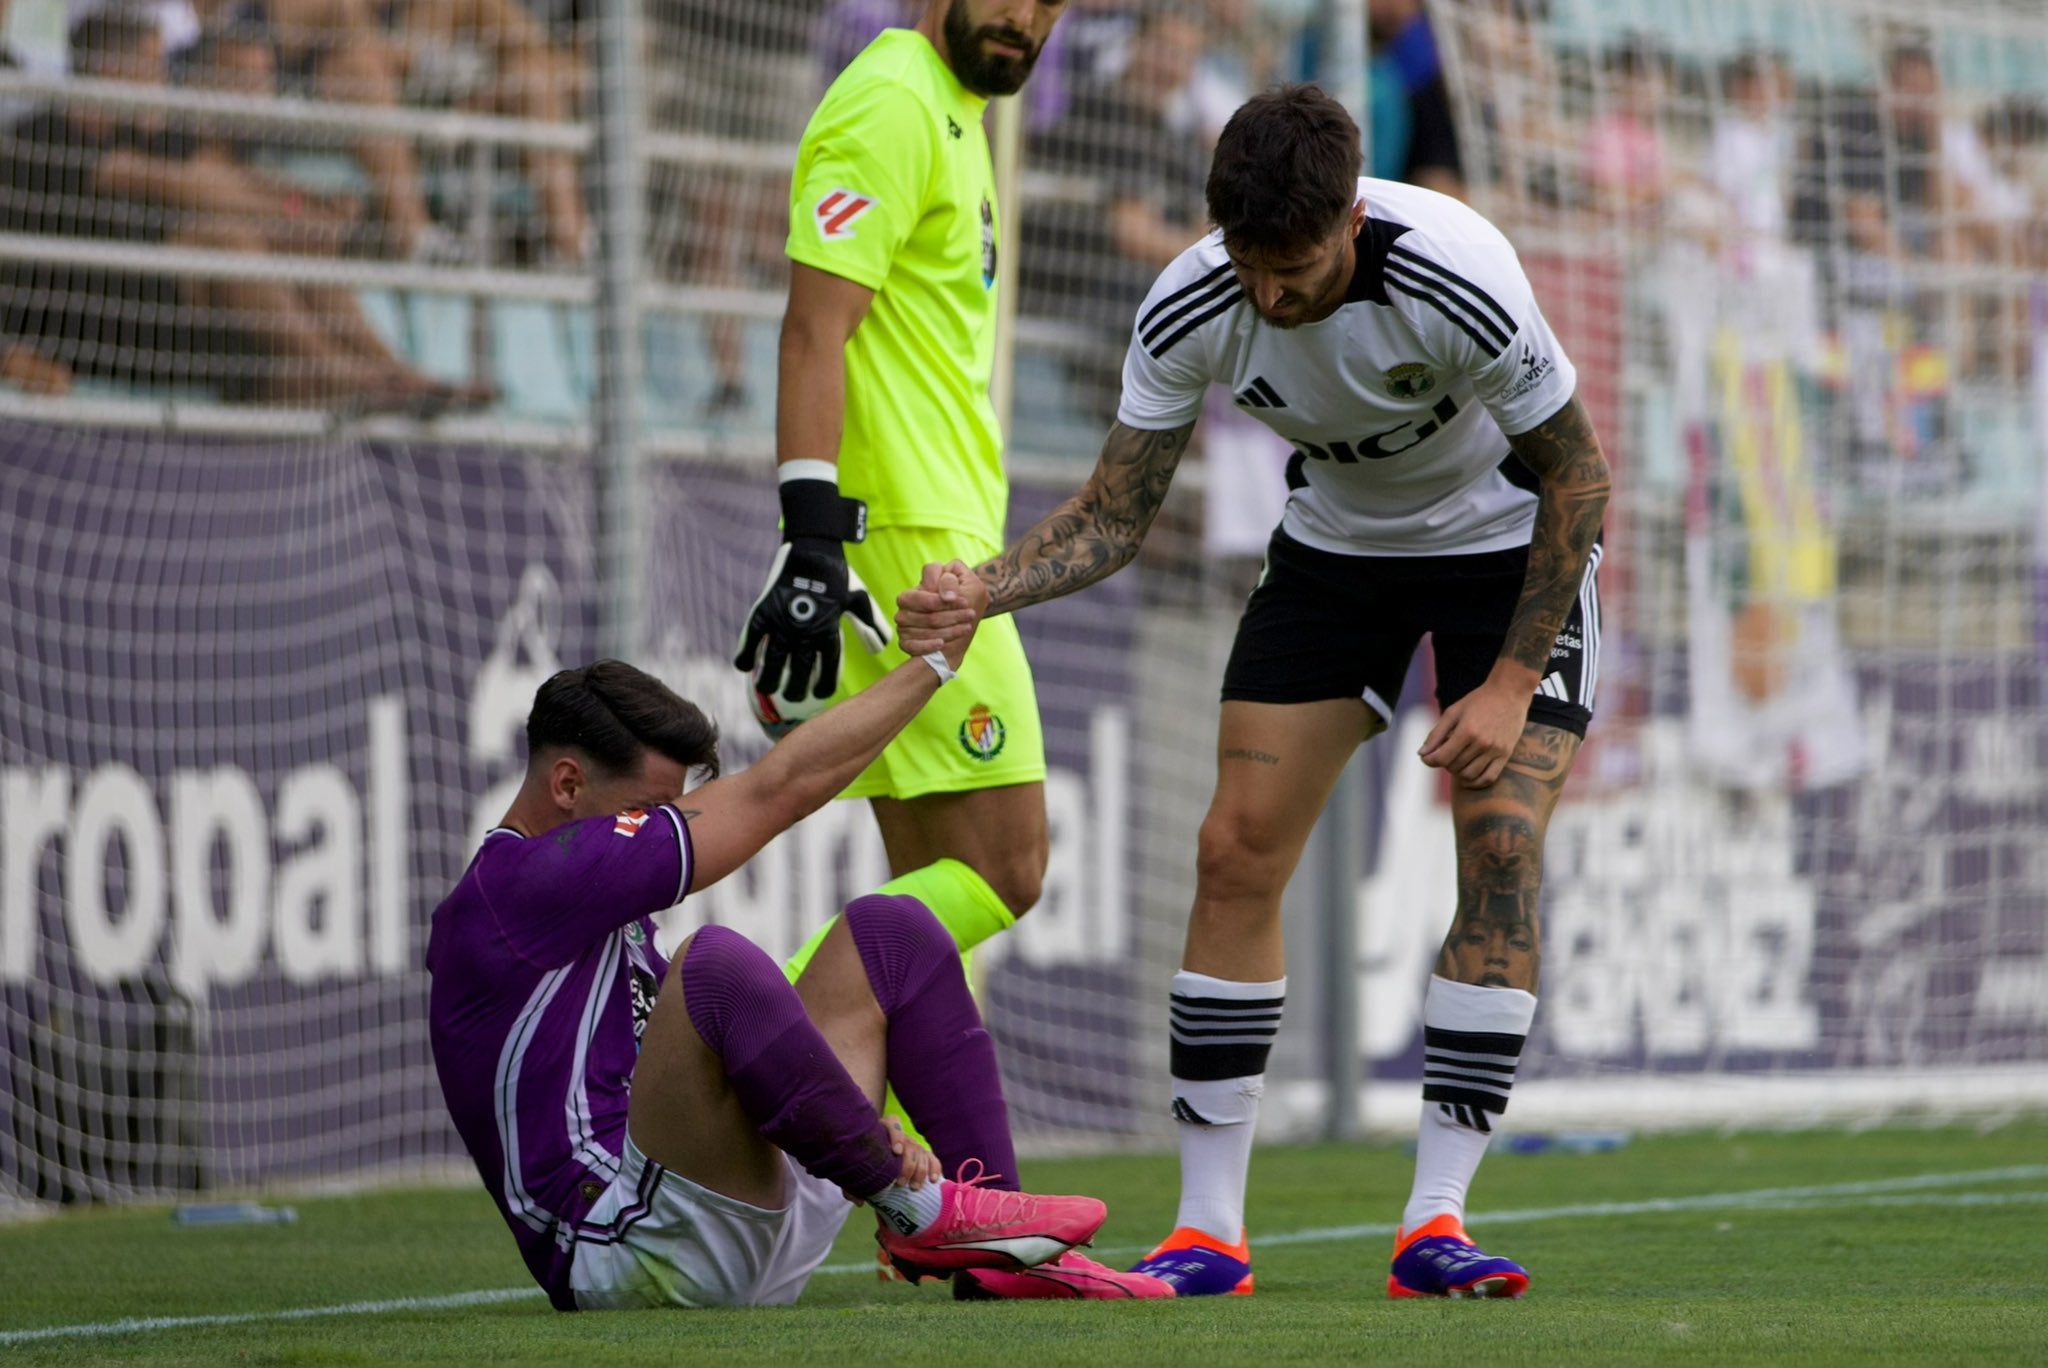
(787, 1078)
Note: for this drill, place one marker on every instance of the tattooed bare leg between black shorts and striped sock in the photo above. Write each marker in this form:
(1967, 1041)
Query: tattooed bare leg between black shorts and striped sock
(1498, 929)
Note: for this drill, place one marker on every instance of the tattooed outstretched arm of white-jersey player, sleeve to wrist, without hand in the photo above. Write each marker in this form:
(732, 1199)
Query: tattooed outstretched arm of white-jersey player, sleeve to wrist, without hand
(1099, 529)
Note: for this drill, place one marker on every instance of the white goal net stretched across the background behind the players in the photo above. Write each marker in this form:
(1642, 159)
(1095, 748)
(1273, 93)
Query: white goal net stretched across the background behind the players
(302, 497)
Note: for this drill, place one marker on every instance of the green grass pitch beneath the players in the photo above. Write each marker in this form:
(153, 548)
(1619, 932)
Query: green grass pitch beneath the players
(1900, 1246)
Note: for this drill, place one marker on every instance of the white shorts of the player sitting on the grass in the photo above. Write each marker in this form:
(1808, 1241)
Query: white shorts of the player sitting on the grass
(658, 1240)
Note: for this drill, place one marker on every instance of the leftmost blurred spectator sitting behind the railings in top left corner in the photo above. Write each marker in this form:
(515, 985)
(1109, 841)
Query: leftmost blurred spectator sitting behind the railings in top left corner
(134, 179)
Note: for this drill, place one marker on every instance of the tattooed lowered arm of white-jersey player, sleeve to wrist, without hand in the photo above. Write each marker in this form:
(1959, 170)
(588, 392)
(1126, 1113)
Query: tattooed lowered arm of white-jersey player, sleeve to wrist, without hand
(1566, 458)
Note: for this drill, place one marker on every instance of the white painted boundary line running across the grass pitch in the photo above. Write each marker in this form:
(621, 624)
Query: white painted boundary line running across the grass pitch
(1875, 1193)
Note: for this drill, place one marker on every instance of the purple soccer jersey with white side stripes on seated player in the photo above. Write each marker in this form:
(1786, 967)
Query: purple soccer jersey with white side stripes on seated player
(544, 978)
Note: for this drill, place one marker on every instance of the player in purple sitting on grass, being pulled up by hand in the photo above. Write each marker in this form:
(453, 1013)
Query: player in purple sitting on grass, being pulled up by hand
(691, 1131)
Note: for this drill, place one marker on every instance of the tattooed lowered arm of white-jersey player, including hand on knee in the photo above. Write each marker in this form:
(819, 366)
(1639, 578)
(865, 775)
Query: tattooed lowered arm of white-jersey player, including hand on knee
(1478, 736)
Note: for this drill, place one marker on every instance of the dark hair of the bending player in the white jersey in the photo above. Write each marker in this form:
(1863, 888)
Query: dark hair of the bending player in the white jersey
(1285, 171)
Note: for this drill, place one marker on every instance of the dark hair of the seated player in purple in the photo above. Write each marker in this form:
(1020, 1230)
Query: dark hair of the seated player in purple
(613, 712)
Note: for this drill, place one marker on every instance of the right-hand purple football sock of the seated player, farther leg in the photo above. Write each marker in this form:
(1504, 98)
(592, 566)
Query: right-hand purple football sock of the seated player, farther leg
(941, 1058)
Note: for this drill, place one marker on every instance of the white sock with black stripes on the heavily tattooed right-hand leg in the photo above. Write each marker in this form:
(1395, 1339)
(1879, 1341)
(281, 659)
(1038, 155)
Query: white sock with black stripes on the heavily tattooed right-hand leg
(1471, 1045)
